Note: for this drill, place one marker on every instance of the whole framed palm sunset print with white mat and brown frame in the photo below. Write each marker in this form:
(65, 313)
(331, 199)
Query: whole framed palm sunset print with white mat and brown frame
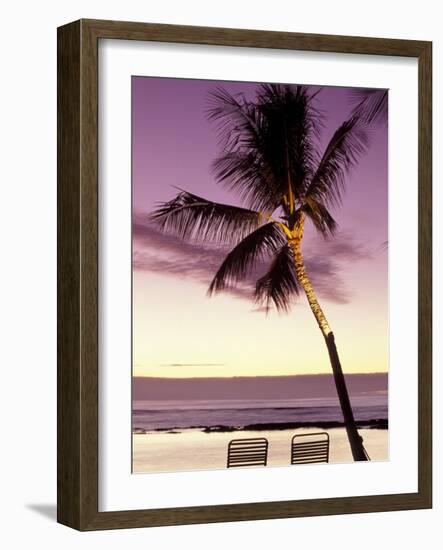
(244, 275)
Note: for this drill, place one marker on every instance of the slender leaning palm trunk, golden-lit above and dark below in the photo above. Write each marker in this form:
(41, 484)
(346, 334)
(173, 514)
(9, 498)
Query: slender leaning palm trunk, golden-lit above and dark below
(355, 441)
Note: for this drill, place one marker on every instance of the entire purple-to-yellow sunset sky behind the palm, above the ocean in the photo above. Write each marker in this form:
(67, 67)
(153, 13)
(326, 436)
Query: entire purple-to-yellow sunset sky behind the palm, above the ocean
(177, 330)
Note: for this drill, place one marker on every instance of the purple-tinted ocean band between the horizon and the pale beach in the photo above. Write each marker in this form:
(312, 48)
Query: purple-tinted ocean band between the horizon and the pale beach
(313, 405)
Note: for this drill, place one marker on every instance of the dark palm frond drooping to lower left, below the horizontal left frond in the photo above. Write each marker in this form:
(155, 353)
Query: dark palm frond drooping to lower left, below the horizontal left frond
(262, 242)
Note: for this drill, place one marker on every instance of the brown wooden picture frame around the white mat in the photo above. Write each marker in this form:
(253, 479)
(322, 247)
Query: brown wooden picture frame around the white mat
(78, 277)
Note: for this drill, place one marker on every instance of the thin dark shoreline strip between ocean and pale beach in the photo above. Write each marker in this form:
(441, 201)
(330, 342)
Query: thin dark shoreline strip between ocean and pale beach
(375, 423)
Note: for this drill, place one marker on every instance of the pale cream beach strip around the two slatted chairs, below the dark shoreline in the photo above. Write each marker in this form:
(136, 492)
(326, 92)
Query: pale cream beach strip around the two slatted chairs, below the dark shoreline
(196, 450)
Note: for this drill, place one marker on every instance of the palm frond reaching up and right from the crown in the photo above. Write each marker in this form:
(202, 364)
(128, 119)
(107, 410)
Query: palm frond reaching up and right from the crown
(348, 143)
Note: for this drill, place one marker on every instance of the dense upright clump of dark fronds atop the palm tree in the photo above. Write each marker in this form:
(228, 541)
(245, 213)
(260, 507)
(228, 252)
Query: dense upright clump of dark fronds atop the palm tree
(268, 145)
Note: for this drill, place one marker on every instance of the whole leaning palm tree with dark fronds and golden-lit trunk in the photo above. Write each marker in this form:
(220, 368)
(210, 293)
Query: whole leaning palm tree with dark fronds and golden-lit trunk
(270, 157)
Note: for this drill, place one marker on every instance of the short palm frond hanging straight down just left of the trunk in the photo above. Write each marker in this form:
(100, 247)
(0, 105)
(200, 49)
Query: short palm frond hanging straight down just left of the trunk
(279, 284)
